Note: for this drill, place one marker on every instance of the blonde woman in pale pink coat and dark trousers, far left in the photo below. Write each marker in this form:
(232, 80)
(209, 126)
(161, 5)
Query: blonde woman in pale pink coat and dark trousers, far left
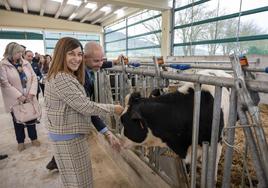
(18, 83)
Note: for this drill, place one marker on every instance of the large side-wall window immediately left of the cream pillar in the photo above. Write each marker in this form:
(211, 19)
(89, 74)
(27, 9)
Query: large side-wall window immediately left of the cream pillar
(136, 36)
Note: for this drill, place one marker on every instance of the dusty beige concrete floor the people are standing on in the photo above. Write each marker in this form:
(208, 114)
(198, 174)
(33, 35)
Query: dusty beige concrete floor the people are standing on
(27, 168)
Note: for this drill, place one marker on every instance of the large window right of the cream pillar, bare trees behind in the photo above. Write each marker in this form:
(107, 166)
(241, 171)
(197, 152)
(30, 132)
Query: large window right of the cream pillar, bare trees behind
(213, 27)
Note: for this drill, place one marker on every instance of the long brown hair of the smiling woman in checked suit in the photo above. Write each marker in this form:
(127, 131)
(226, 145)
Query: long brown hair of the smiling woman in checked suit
(59, 63)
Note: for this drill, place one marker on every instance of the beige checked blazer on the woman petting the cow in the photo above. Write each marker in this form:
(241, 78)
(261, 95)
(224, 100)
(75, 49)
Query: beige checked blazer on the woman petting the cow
(68, 108)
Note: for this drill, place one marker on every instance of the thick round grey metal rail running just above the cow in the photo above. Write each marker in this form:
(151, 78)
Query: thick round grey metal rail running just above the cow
(260, 86)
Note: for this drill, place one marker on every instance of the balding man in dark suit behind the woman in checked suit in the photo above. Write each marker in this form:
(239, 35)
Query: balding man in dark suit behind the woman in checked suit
(94, 56)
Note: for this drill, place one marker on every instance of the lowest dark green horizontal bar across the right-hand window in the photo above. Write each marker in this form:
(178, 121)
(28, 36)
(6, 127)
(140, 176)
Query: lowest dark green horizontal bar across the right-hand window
(225, 40)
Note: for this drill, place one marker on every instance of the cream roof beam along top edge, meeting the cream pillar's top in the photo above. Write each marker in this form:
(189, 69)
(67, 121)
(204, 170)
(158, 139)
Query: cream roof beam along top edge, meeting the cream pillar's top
(148, 4)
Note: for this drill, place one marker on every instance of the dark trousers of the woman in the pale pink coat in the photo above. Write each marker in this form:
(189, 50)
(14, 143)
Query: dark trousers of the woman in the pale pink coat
(20, 133)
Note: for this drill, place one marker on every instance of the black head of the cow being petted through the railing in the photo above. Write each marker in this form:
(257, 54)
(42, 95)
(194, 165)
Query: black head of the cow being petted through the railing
(134, 125)
